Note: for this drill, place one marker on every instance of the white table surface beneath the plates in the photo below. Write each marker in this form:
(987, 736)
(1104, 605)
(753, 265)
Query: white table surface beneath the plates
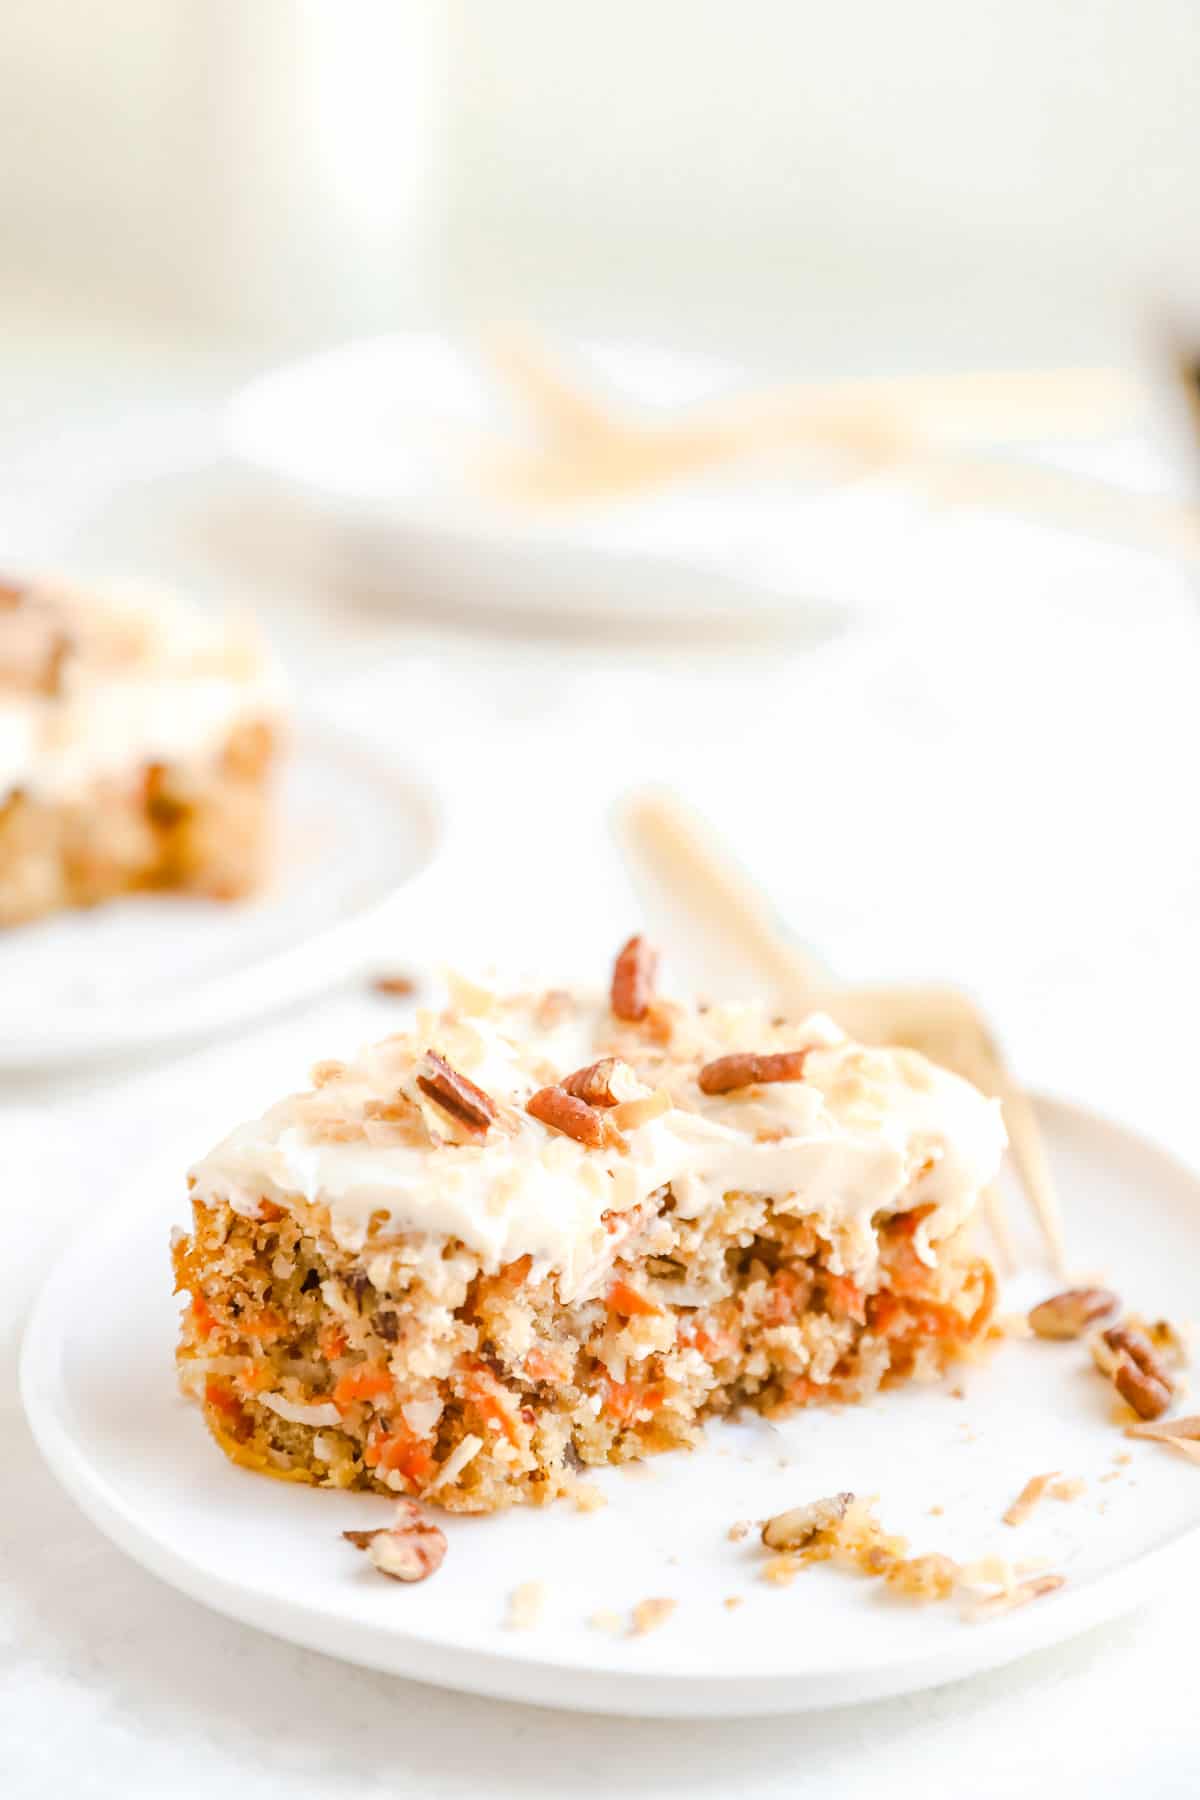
(999, 789)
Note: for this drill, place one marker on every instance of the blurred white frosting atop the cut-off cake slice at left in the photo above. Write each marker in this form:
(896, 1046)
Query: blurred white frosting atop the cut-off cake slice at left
(143, 679)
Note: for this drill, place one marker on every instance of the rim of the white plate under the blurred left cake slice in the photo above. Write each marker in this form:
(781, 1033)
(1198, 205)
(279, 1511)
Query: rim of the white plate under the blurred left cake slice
(278, 980)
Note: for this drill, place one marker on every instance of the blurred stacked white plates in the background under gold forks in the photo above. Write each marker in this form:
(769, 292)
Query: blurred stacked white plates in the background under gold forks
(381, 436)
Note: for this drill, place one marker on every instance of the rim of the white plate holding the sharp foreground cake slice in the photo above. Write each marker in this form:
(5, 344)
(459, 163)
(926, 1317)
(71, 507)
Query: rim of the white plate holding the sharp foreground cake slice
(604, 1684)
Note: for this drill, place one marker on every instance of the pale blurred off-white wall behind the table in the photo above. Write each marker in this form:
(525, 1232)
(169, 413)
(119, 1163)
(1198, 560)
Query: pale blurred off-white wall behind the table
(863, 181)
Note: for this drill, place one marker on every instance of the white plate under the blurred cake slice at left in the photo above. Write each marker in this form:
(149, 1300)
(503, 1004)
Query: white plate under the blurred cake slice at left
(357, 838)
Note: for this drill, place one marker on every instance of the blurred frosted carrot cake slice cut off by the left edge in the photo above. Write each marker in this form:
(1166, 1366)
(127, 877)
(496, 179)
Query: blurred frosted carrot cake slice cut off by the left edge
(136, 750)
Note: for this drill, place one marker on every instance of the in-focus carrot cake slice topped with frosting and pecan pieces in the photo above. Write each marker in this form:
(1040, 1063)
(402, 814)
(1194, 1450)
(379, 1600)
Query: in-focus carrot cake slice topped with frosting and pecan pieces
(550, 1230)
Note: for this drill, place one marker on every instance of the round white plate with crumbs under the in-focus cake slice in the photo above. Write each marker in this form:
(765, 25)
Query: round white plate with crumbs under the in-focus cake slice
(100, 1394)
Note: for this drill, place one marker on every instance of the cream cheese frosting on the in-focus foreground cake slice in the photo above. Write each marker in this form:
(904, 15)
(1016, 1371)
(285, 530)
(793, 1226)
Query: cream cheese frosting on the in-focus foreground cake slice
(864, 1135)
